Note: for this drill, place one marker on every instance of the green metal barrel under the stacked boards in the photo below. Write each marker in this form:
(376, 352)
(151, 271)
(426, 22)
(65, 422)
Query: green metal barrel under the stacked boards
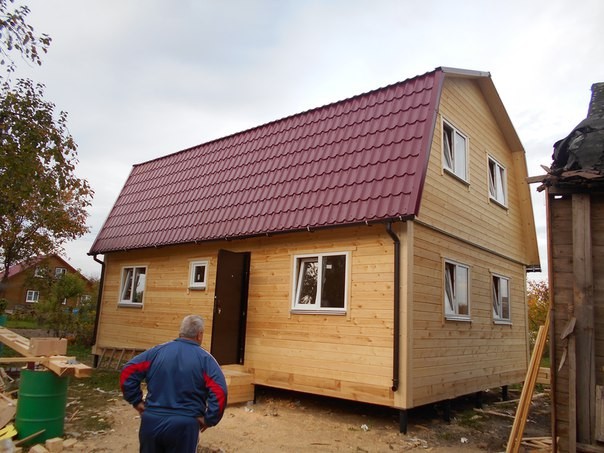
(41, 405)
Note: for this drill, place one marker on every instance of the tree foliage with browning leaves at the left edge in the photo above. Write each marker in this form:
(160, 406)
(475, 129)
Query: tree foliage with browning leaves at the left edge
(43, 202)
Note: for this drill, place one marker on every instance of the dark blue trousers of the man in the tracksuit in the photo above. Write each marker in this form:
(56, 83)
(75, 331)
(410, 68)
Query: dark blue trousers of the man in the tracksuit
(168, 434)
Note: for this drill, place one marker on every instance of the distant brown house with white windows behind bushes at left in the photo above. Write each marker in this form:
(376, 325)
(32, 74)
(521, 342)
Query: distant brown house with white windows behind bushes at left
(27, 280)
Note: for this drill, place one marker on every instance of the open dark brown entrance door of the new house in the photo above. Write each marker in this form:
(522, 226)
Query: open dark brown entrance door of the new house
(230, 307)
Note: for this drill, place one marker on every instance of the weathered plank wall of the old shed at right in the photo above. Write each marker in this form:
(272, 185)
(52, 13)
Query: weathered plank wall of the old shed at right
(574, 412)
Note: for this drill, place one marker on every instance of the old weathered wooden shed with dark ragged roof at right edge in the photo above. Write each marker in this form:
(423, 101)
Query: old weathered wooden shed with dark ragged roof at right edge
(575, 214)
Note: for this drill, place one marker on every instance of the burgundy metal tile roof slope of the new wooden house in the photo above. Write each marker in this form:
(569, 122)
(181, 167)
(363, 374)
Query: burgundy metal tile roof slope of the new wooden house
(359, 160)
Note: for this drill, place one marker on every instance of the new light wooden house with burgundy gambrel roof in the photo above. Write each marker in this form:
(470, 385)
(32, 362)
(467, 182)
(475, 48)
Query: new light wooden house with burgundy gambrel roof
(374, 249)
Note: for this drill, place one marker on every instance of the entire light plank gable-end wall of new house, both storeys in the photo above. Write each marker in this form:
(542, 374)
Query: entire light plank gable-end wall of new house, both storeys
(445, 353)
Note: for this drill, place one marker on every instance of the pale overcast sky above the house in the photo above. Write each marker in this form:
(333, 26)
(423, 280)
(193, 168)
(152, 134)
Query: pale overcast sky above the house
(144, 78)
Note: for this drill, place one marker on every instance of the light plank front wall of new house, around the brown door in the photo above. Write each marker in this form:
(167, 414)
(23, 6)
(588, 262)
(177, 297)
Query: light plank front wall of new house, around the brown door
(347, 356)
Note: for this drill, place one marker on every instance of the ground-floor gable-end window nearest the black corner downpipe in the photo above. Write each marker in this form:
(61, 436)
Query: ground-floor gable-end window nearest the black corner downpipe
(453, 290)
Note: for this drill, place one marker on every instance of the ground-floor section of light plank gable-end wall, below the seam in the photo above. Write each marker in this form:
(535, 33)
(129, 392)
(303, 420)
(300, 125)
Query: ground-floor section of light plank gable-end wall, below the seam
(453, 358)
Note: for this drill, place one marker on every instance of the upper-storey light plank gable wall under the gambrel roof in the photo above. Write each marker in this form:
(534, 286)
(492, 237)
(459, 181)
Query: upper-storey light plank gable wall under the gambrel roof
(465, 209)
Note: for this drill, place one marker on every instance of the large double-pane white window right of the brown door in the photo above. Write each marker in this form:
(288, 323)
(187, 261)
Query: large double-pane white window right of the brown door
(320, 282)
